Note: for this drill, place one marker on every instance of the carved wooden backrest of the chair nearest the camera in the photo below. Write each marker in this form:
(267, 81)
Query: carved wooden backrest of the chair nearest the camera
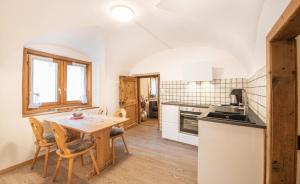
(61, 137)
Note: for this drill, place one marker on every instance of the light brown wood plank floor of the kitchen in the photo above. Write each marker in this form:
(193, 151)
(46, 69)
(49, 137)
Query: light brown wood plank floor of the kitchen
(153, 160)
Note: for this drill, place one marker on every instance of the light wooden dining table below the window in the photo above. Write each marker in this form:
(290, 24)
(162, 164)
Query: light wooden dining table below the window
(99, 127)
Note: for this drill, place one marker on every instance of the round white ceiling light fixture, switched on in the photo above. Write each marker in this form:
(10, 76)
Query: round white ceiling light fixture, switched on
(122, 13)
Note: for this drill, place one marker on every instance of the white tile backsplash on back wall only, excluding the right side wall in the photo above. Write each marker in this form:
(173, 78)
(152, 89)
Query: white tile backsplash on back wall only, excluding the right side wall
(214, 92)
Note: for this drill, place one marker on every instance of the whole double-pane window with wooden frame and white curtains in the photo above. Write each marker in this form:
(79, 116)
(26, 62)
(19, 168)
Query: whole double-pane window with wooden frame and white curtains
(51, 81)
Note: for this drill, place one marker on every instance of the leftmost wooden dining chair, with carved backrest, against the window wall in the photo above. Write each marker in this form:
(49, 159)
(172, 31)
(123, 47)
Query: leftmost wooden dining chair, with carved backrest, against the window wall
(42, 141)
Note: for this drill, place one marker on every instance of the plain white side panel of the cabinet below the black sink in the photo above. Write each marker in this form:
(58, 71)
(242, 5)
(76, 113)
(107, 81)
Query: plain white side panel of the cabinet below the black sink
(235, 154)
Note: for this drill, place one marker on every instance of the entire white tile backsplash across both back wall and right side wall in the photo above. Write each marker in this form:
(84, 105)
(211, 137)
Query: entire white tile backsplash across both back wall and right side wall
(217, 92)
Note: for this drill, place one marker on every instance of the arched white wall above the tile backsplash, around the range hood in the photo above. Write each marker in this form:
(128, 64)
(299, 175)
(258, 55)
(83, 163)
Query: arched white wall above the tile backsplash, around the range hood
(169, 63)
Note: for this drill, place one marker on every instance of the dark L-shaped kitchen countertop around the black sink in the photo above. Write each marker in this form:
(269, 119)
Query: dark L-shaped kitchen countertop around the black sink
(254, 120)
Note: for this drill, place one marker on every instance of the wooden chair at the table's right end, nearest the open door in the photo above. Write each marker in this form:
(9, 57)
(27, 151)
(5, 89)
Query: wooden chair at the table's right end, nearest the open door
(117, 132)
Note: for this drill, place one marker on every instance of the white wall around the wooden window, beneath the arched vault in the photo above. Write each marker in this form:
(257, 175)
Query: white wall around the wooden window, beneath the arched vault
(16, 136)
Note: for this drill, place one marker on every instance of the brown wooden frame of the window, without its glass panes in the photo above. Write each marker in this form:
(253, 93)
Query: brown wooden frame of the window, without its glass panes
(62, 103)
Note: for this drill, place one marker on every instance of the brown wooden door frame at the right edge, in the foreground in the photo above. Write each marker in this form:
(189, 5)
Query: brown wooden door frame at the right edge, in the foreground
(282, 98)
